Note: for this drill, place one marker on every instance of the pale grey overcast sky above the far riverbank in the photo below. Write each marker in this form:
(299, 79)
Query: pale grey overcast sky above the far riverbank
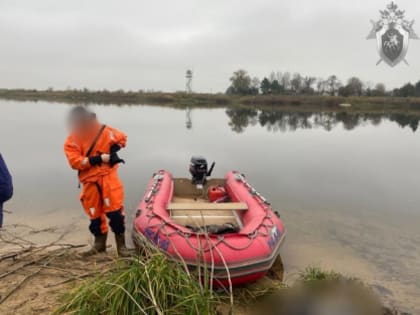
(150, 44)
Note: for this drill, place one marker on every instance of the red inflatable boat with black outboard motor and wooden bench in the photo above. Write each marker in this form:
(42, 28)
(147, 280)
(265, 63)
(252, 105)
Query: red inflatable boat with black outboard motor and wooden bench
(223, 225)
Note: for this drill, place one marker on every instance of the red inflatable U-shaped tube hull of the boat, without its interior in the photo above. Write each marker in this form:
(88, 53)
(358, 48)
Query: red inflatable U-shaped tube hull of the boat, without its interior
(231, 259)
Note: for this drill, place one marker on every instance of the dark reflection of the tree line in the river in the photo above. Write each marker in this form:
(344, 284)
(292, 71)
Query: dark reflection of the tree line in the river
(275, 120)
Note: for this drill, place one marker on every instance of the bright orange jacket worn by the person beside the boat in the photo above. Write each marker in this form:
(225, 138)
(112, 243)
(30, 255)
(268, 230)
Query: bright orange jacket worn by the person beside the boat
(76, 147)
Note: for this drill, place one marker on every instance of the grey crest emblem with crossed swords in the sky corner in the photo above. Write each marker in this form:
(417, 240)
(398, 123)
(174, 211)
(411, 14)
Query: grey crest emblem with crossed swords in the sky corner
(392, 33)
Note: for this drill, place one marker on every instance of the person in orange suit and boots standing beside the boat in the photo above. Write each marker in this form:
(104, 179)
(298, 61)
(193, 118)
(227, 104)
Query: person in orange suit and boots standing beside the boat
(91, 149)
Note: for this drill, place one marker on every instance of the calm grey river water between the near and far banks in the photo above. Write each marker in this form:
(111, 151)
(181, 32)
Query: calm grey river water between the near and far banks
(347, 186)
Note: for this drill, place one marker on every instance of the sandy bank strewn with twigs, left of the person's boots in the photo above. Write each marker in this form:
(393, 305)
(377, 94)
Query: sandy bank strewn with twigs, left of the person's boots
(48, 264)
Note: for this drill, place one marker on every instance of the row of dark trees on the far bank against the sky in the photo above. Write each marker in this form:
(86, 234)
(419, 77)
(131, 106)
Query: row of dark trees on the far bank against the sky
(285, 83)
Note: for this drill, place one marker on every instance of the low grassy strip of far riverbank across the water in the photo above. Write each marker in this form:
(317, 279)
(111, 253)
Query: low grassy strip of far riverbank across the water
(316, 103)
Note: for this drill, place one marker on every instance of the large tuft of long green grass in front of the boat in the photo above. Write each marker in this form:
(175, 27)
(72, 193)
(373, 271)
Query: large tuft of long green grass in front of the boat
(149, 284)
